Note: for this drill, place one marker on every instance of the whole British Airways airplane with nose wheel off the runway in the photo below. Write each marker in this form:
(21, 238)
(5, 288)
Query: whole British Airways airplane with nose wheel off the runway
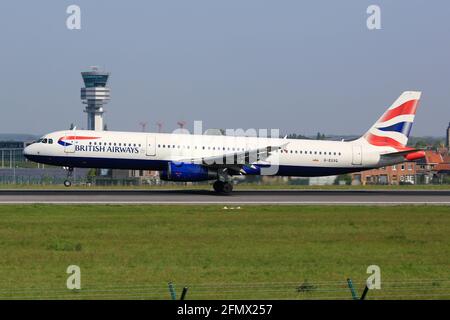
(188, 157)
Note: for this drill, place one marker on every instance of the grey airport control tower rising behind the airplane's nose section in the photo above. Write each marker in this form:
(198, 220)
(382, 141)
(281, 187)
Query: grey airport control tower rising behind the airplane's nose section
(95, 94)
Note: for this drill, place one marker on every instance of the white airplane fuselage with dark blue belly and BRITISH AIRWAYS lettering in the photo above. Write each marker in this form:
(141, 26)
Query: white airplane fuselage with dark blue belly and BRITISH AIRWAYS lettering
(153, 151)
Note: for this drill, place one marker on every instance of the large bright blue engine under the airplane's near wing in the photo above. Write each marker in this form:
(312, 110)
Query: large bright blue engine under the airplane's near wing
(179, 171)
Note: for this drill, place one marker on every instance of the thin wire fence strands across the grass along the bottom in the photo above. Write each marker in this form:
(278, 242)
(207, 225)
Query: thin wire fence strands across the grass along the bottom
(303, 290)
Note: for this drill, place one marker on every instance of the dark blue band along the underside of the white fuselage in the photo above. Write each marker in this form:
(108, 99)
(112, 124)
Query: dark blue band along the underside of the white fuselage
(149, 164)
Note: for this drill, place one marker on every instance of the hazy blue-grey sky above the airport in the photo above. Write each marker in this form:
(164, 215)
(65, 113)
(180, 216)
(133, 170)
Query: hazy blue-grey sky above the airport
(300, 66)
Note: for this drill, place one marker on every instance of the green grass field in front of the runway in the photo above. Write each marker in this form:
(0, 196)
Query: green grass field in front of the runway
(256, 252)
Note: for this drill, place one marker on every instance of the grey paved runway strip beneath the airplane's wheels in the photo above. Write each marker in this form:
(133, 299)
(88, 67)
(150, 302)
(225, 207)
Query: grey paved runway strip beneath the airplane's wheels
(250, 197)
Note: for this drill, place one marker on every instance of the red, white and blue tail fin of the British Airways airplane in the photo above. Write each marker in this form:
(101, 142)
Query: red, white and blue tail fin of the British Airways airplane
(394, 126)
